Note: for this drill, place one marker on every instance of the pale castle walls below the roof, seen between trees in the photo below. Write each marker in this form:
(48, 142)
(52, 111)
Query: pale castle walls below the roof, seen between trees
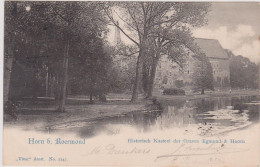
(170, 72)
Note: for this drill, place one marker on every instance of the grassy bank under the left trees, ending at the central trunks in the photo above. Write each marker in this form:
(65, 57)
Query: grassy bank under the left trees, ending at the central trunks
(32, 116)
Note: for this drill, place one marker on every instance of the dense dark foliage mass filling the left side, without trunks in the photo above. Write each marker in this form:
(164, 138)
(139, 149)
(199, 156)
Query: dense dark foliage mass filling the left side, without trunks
(39, 34)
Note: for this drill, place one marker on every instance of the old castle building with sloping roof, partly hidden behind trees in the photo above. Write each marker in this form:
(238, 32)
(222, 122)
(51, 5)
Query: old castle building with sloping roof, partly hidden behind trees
(169, 74)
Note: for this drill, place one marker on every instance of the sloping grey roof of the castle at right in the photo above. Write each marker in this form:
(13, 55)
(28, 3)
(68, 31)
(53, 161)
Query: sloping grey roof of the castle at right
(212, 48)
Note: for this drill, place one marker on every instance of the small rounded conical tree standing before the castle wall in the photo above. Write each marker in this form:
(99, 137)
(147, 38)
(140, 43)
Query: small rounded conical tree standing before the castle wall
(203, 75)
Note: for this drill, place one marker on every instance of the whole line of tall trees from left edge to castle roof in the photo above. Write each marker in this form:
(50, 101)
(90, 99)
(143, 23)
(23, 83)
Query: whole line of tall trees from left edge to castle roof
(66, 40)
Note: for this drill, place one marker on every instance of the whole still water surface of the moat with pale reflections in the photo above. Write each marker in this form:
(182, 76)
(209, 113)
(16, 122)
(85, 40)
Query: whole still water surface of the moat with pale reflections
(202, 116)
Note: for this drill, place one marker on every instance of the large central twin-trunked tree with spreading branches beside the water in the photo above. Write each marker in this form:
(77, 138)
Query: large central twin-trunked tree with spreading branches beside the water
(149, 24)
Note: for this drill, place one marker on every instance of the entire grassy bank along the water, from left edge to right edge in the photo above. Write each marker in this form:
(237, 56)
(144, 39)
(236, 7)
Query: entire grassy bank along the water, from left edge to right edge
(43, 114)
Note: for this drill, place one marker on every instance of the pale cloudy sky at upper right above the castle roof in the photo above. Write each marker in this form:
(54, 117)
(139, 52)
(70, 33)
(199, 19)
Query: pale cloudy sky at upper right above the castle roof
(236, 26)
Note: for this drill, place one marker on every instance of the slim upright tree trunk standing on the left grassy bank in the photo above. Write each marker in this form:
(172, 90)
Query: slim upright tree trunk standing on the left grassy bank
(62, 99)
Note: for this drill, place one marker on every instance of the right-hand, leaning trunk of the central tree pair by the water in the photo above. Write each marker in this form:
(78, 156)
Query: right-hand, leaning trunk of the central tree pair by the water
(152, 77)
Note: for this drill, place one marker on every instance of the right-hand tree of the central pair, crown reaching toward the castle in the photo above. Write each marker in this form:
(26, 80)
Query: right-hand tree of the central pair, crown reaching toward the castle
(173, 37)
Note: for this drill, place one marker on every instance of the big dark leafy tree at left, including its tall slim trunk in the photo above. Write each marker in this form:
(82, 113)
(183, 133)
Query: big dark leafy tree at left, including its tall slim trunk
(47, 32)
